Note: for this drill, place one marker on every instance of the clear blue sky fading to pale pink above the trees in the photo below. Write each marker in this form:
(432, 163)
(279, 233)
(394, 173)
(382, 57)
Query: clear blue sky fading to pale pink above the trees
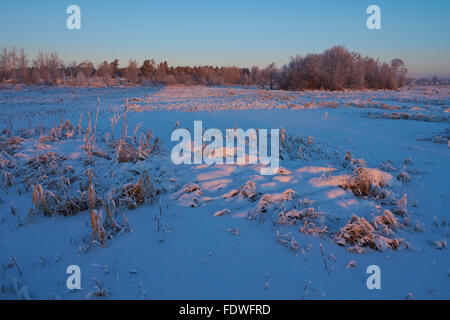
(232, 32)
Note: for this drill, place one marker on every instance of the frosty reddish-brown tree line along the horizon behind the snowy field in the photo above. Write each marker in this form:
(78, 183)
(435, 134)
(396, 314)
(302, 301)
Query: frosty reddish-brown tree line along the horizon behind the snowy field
(334, 69)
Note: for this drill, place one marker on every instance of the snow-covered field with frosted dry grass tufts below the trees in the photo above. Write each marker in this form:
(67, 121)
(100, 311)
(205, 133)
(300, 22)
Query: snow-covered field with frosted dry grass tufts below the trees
(364, 180)
